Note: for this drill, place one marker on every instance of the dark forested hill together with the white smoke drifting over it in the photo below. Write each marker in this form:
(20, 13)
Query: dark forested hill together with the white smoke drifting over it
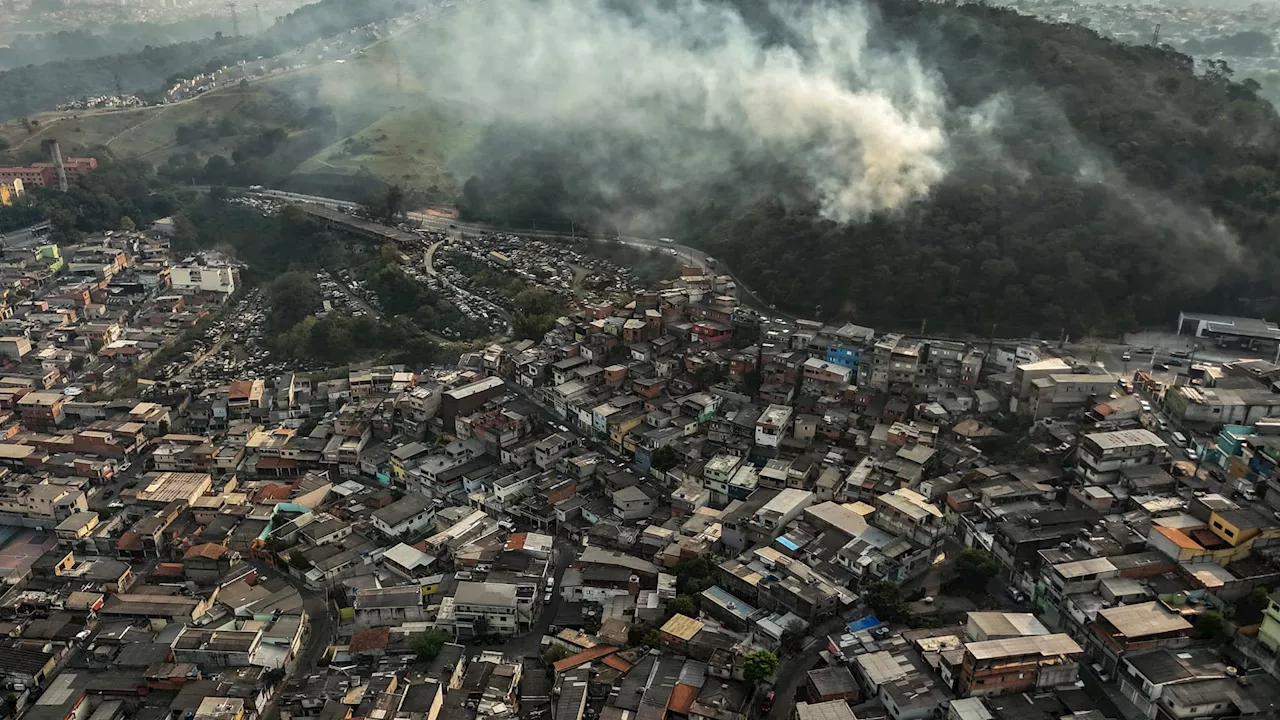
(890, 161)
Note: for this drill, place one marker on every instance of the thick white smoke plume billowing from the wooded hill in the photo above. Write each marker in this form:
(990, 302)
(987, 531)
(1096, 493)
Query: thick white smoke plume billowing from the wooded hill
(700, 89)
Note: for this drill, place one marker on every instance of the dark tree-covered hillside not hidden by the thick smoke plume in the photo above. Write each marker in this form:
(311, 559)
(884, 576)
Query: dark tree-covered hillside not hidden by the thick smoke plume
(1110, 186)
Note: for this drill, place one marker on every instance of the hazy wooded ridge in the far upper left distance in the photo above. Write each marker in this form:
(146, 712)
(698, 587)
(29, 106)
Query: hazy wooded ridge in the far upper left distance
(35, 89)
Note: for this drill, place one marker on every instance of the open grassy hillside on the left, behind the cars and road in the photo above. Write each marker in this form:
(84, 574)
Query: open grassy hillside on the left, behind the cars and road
(399, 134)
